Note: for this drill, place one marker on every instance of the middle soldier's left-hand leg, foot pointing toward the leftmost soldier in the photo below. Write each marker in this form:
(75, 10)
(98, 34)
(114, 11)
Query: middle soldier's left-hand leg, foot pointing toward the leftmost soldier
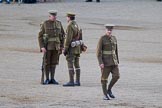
(70, 62)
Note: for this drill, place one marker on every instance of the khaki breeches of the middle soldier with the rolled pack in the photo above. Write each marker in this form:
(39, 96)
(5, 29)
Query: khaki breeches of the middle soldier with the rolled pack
(73, 61)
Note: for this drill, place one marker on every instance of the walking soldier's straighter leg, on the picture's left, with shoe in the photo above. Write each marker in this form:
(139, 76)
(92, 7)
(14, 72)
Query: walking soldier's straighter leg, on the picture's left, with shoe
(104, 77)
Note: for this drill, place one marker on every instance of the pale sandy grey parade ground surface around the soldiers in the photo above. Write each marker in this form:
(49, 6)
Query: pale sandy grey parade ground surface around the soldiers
(139, 33)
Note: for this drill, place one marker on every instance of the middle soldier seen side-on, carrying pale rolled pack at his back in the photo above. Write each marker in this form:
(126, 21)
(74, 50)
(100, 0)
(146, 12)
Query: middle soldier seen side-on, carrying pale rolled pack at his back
(71, 52)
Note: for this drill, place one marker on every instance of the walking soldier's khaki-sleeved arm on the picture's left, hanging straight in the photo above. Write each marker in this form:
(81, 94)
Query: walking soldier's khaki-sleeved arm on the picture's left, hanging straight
(99, 51)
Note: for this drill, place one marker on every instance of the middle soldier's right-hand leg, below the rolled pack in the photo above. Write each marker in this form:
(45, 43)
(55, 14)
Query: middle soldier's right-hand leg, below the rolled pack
(77, 70)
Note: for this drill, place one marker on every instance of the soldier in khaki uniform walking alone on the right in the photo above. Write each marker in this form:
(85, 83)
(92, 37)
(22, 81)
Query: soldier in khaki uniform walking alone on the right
(107, 54)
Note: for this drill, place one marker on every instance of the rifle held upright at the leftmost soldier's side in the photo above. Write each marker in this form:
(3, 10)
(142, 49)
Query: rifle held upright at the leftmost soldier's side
(45, 41)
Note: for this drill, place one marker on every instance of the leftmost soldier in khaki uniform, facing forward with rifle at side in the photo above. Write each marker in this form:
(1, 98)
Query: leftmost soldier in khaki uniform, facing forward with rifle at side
(51, 29)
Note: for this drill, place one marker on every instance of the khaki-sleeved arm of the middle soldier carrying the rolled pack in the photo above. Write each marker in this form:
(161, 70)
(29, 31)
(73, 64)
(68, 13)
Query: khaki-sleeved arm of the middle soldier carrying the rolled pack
(68, 39)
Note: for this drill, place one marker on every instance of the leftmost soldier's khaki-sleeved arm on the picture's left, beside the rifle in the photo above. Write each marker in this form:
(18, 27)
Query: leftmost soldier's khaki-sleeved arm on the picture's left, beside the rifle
(40, 36)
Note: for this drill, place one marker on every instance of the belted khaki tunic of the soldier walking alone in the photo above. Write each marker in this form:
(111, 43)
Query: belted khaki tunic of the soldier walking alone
(107, 51)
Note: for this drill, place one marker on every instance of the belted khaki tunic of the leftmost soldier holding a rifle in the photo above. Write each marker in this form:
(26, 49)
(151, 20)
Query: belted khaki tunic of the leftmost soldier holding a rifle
(55, 33)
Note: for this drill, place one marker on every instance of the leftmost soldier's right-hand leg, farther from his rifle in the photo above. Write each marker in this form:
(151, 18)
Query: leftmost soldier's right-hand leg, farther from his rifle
(54, 62)
